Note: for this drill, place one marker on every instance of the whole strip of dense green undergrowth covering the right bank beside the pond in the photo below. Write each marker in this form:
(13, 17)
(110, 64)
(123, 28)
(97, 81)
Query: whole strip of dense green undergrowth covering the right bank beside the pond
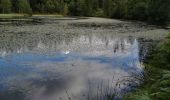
(157, 82)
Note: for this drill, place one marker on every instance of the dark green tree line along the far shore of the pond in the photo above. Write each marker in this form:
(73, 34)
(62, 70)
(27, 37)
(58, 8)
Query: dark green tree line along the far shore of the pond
(148, 10)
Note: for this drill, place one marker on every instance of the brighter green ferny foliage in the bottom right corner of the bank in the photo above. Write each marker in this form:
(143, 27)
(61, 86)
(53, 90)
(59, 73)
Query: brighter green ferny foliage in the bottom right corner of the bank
(157, 87)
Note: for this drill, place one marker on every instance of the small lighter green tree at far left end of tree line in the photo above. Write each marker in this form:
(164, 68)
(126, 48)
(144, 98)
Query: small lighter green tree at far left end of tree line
(5, 6)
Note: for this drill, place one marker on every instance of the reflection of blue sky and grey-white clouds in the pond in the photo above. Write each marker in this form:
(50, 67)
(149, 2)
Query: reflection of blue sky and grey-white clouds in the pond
(86, 67)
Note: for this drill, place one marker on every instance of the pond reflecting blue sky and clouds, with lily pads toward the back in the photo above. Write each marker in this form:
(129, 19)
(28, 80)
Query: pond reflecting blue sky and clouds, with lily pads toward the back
(64, 61)
